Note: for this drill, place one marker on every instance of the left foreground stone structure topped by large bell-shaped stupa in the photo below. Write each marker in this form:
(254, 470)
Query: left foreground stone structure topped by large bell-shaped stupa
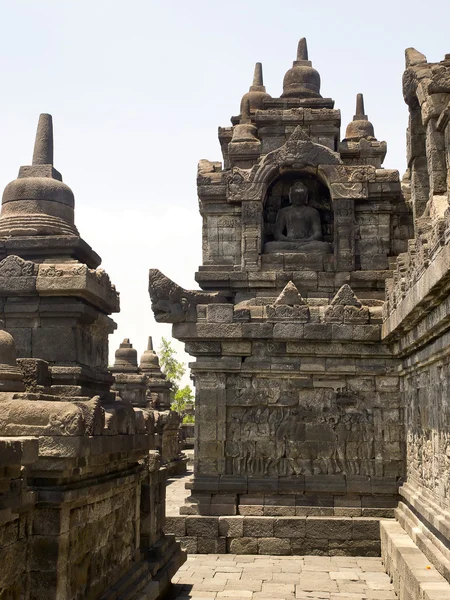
(82, 494)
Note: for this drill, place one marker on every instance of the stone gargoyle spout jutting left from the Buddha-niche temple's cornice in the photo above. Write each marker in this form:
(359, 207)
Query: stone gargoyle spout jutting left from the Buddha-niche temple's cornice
(173, 304)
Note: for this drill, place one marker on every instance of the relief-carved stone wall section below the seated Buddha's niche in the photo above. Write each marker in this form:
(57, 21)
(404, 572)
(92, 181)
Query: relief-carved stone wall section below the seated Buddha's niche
(318, 420)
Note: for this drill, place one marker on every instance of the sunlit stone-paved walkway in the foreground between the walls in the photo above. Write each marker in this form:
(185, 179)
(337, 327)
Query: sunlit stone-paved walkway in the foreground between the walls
(215, 576)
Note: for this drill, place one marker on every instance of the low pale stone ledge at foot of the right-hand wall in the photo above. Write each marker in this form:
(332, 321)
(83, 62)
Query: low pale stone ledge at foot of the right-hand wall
(413, 576)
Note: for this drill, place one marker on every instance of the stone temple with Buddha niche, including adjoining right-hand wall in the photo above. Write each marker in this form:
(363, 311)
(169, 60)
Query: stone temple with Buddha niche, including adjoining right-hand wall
(320, 336)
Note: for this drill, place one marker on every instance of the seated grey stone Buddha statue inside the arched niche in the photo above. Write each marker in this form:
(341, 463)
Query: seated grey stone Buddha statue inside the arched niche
(298, 227)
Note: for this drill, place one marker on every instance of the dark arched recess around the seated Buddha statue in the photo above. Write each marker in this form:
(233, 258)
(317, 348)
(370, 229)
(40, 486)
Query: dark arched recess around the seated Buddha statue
(277, 198)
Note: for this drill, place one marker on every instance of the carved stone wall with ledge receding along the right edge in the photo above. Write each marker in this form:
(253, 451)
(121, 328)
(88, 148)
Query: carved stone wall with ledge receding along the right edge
(417, 315)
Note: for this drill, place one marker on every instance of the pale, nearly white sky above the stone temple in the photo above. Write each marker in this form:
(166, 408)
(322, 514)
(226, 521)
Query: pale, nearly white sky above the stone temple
(137, 90)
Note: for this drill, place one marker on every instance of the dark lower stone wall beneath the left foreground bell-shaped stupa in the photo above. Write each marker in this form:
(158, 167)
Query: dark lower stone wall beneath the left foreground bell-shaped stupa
(82, 516)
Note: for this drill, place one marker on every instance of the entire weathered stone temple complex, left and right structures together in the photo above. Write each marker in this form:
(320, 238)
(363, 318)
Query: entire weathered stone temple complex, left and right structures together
(321, 344)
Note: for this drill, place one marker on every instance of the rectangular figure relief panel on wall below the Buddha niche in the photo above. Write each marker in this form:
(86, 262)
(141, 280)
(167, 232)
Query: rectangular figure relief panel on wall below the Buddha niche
(279, 440)
